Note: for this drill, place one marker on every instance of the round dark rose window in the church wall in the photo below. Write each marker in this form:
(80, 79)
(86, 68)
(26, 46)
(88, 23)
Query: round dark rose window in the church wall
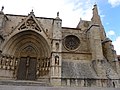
(71, 42)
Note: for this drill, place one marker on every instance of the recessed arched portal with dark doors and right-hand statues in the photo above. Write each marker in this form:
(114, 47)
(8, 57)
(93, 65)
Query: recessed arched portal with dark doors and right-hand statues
(32, 54)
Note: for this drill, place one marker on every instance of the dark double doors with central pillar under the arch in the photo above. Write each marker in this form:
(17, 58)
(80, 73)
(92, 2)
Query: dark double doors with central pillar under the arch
(27, 68)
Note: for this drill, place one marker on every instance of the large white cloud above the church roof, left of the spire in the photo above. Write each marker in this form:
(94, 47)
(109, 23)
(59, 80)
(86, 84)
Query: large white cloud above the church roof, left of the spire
(70, 10)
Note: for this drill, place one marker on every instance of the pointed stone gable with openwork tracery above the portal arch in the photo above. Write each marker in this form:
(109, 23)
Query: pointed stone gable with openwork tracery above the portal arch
(29, 23)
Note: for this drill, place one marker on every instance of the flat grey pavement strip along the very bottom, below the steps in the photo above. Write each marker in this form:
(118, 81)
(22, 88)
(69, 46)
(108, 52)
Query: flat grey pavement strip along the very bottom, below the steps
(11, 87)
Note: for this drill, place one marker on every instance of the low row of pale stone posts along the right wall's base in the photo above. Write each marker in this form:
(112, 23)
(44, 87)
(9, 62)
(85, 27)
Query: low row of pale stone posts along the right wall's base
(80, 82)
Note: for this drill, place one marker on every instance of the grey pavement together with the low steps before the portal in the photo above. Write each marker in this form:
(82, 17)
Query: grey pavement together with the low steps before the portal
(34, 85)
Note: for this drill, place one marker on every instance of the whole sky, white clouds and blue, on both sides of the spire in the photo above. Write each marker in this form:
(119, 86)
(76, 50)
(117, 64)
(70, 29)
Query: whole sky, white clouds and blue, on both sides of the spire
(70, 12)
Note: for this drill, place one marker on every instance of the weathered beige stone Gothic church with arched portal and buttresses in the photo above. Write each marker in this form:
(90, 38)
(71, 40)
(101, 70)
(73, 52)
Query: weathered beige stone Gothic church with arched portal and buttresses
(40, 49)
